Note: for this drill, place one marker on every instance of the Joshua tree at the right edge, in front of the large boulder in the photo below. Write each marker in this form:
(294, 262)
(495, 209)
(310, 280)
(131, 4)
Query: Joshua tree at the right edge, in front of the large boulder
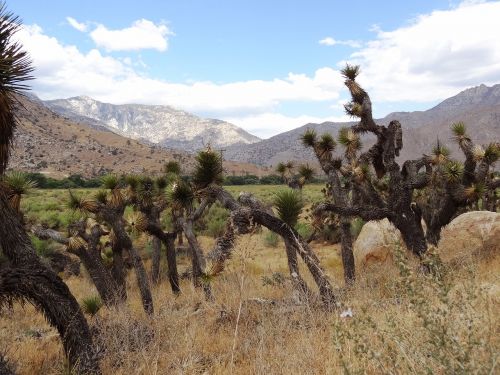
(454, 186)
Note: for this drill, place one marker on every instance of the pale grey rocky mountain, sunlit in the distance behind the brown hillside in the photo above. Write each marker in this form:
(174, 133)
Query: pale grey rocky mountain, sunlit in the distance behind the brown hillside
(157, 124)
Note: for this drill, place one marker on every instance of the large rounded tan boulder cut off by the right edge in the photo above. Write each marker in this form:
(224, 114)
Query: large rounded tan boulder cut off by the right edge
(473, 234)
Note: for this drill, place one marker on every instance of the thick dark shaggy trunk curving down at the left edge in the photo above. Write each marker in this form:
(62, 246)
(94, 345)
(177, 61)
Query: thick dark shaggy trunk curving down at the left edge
(45, 289)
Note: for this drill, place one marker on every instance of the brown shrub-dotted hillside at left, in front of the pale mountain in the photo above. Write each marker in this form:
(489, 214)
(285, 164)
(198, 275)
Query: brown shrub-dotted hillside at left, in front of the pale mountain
(48, 143)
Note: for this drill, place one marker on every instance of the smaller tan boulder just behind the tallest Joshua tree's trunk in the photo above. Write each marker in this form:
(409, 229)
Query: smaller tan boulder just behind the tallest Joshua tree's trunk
(375, 243)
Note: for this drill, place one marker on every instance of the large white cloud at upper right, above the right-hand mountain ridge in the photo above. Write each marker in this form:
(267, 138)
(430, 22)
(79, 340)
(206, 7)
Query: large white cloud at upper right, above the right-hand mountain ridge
(434, 56)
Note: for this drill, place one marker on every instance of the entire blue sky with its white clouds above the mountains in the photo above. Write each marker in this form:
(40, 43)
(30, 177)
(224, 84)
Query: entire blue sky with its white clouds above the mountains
(267, 66)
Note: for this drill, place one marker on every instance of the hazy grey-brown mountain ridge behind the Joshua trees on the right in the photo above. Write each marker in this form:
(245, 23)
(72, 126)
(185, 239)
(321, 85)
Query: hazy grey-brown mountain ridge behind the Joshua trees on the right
(478, 107)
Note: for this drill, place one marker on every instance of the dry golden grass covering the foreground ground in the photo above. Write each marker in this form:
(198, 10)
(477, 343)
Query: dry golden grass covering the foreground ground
(387, 334)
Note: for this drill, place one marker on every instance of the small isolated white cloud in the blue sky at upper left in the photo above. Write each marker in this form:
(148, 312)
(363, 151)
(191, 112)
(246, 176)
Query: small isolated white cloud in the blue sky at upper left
(143, 34)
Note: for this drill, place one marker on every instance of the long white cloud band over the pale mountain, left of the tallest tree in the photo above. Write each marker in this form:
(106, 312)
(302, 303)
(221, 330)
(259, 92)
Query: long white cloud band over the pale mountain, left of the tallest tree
(63, 70)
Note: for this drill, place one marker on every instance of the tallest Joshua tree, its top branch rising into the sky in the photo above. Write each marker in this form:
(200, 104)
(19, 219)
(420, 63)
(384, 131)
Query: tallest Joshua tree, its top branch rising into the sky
(367, 202)
